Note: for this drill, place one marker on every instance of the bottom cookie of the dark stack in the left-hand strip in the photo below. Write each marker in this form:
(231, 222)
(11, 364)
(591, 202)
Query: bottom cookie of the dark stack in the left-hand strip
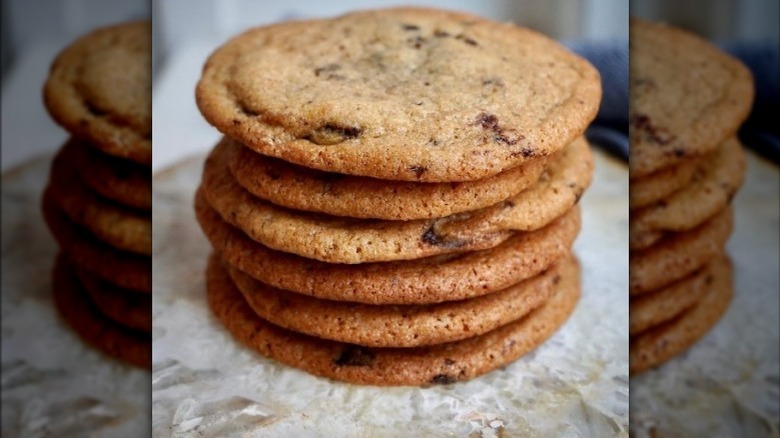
(91, 326)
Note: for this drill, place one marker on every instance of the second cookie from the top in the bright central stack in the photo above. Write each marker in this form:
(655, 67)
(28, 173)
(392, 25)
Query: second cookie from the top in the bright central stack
(300, 188)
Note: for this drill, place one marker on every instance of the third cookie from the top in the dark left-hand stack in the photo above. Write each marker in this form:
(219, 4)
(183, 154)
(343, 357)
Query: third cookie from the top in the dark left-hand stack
(121, 227)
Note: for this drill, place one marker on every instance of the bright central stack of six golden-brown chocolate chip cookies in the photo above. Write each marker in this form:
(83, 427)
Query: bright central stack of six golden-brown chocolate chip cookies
(394, 200)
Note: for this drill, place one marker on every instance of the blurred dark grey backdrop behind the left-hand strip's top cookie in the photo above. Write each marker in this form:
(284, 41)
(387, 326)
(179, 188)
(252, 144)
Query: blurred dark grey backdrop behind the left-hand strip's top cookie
(34, 31)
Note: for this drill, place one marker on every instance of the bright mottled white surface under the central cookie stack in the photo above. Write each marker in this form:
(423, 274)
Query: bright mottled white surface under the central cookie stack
(203, 382)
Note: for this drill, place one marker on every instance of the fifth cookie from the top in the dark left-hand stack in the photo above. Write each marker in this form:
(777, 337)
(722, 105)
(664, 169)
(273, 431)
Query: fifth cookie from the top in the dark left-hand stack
(129, 308)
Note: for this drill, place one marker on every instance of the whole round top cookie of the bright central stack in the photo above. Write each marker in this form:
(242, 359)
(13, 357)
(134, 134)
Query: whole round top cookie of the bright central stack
(399, 94)
